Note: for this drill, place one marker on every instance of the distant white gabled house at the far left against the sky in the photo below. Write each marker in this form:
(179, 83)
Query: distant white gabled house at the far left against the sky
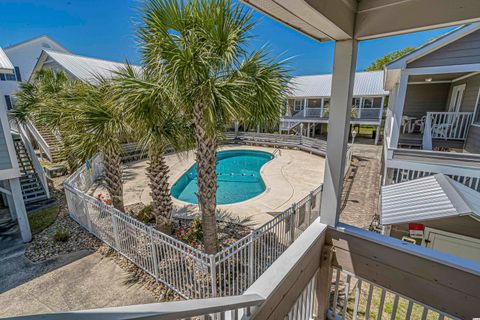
(24, 56)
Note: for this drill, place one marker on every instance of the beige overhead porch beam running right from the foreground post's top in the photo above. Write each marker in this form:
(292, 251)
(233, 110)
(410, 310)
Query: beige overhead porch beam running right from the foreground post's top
(382, 18)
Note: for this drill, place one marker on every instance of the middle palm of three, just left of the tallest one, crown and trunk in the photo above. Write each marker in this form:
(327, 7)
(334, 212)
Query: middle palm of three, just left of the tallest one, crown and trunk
(149, 109)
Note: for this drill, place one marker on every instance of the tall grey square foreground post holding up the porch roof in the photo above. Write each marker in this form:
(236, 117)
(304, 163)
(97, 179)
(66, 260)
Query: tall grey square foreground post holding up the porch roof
(344, 62)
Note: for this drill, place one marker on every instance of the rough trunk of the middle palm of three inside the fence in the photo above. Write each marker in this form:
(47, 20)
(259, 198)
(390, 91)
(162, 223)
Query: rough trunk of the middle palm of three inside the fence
(162, 206)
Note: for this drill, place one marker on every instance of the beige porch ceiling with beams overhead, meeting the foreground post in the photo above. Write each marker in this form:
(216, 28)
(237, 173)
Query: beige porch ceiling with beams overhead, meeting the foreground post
(367, 19)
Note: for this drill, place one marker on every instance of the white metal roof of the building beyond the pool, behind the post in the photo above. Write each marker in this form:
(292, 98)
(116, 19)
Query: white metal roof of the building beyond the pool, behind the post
(366, 84)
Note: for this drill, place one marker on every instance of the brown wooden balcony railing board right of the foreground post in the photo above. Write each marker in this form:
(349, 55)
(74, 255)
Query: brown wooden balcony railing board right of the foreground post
(443, 282)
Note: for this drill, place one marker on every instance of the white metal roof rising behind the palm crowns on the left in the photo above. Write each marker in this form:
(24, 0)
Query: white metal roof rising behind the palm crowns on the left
(85, 68)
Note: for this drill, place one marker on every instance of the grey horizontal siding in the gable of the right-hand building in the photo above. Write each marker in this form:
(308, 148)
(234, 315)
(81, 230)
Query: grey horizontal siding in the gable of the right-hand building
(463, 51)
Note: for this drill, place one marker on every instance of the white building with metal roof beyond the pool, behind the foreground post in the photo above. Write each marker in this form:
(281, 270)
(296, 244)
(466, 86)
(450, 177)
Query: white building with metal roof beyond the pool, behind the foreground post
(309, 101)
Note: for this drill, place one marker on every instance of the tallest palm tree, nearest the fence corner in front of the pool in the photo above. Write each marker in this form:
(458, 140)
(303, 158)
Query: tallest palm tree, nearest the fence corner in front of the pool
(201, 47)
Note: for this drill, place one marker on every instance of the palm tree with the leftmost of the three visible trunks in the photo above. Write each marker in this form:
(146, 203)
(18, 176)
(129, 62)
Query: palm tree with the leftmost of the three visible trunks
(92, 124)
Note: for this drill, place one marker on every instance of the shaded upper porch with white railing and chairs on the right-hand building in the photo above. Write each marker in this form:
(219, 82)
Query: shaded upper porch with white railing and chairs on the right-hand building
(435, 116)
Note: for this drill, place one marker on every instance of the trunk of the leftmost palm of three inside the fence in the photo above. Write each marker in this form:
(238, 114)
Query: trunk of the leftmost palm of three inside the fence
(113, 179)
